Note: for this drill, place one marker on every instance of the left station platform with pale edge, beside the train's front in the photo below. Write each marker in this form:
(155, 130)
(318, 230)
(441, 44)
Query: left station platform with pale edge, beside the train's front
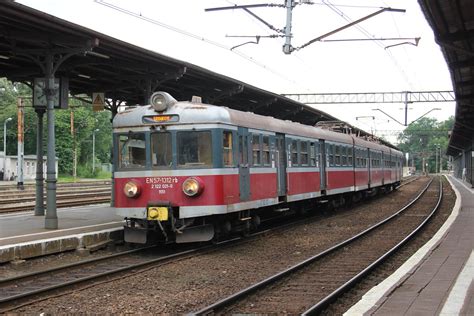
(22, 235)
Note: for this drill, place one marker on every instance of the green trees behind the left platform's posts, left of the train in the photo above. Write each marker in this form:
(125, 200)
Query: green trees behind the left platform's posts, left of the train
(85, 122)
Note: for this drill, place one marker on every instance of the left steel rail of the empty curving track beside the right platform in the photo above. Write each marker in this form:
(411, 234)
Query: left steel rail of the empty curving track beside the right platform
(272, 279)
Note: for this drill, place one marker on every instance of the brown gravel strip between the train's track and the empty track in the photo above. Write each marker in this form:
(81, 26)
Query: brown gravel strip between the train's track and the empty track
(192, 283)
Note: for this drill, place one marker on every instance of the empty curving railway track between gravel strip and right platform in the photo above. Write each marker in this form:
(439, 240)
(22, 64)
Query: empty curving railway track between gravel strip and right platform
(311, 285)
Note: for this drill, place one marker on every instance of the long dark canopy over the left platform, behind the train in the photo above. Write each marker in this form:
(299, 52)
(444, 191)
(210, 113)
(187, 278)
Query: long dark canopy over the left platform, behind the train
(125, 72)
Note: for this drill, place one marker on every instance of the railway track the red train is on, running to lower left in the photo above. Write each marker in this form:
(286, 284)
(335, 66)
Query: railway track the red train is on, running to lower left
(28, 288)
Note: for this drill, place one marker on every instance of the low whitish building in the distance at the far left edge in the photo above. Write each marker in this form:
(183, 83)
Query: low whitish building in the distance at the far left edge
(9, 164)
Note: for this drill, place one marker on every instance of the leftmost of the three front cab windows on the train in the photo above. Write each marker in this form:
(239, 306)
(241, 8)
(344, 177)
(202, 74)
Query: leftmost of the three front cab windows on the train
(132, 151)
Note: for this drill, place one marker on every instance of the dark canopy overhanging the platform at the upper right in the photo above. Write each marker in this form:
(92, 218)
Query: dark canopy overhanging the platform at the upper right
(453, 25)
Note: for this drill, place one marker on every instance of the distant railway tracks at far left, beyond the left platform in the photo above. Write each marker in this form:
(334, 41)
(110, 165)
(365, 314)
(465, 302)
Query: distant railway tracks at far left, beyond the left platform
(68, 195)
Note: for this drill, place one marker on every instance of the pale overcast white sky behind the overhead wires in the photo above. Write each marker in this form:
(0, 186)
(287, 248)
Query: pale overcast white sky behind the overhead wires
(183, 30)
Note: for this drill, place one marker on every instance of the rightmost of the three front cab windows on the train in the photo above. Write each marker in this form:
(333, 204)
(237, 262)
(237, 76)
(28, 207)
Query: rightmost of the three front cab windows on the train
(194, 149)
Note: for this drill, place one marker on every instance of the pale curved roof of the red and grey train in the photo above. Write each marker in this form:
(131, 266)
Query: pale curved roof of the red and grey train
(199, 113)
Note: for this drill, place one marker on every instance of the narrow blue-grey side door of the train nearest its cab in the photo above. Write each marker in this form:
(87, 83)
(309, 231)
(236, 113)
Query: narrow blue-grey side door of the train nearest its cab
(244, 170)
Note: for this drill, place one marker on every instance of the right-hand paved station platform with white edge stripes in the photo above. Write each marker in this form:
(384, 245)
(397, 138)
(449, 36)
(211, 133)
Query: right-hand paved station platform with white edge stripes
(439, 278)
